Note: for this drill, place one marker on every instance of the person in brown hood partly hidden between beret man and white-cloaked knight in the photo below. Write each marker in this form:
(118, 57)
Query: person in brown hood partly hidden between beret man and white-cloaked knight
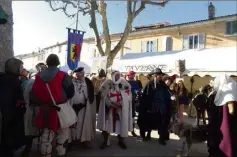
(97, 82)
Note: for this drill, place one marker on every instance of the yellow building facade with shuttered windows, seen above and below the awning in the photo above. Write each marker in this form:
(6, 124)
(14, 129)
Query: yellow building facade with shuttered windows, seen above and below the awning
(219, 32)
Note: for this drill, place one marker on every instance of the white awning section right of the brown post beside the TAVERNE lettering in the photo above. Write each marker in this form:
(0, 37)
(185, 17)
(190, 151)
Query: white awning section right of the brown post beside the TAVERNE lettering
(213, 62)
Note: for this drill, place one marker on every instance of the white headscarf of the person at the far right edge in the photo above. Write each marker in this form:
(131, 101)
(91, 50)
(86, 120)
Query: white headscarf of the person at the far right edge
(226, 89)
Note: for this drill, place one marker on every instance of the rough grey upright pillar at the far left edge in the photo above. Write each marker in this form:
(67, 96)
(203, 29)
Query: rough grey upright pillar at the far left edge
(6, 34)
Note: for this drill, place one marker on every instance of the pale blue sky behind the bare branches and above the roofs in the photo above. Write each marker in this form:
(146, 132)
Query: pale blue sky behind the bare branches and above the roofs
(36, 26)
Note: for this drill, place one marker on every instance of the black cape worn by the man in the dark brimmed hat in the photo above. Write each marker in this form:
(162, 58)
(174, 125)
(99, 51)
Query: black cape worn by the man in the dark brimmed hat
(146, 119)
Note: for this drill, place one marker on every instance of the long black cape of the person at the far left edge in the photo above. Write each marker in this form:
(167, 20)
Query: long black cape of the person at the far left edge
(12, 132)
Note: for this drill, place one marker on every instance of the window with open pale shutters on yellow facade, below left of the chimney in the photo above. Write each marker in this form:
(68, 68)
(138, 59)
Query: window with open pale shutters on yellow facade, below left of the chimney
(194, 41)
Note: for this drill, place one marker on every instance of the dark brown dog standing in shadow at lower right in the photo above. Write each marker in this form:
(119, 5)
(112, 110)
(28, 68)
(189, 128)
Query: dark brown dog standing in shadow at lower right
(189, 135)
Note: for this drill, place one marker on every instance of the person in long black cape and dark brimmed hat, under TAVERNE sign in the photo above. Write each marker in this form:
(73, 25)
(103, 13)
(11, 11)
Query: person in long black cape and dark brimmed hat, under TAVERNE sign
(155, 108)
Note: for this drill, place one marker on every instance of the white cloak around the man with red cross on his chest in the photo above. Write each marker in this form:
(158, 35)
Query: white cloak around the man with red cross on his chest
(124, 125)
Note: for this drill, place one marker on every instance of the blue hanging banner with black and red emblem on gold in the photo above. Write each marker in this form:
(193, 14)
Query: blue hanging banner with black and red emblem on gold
(75, 39)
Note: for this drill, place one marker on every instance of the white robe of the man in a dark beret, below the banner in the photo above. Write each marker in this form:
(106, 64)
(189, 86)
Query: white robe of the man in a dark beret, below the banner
(85, 127)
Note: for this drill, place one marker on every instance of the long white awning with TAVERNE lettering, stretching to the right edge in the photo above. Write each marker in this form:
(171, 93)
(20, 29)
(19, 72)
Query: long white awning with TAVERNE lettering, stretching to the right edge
(201, 62)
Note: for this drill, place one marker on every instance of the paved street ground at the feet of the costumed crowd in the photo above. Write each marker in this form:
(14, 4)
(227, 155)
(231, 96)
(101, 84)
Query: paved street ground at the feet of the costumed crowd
(136, 147)
